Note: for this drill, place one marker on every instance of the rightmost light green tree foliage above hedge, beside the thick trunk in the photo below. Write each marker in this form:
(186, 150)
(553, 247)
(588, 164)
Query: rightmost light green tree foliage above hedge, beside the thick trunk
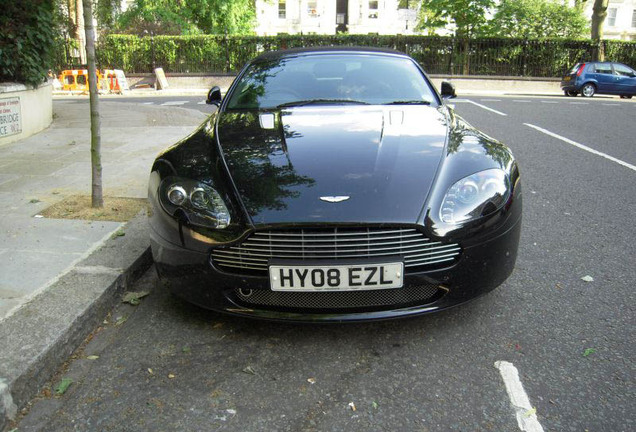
(537, 19)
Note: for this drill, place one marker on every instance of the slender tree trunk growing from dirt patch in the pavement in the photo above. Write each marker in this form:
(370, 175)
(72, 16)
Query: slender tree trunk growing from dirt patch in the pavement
(97, 199)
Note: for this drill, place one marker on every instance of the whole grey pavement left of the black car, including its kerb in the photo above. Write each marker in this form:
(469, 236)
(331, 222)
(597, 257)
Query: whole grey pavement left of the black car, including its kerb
(58, 276)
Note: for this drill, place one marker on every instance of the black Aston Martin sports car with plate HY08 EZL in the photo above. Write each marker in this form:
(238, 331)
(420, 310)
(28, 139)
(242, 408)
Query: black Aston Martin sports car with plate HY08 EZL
(334, 185)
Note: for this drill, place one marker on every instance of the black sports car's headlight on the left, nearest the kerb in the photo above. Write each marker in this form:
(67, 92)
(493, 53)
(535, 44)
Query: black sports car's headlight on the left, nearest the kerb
(201, 203)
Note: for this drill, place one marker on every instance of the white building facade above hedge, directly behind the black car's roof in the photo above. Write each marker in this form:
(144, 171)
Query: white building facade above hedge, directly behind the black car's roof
(384, 17)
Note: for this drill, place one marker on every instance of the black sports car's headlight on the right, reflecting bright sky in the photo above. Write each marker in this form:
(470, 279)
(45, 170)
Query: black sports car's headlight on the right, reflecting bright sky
(477, 195)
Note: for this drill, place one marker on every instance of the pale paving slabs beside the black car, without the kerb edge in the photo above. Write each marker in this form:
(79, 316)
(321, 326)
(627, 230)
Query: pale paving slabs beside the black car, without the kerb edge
(43, 169)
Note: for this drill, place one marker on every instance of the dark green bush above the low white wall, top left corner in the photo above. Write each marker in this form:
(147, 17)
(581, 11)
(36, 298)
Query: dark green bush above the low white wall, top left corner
(27, 38)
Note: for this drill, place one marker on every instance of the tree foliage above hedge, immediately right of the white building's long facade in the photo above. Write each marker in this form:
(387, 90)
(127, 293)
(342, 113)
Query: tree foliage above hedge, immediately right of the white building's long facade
(468, 17)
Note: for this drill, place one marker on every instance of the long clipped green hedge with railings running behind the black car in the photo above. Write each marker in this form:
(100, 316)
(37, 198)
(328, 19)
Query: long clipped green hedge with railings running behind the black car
(438, 55)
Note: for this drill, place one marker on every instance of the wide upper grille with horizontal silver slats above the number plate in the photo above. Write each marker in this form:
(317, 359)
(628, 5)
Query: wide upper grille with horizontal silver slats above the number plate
(252, 256)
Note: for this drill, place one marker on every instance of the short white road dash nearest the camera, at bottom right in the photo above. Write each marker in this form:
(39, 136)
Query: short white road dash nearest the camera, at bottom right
(526, 415)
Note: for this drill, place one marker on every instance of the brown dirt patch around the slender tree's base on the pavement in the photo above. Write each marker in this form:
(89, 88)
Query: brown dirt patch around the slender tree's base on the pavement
(79, 207)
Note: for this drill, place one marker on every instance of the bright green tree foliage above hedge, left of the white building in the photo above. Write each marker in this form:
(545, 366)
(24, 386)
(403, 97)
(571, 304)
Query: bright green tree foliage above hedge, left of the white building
(183, 17)
